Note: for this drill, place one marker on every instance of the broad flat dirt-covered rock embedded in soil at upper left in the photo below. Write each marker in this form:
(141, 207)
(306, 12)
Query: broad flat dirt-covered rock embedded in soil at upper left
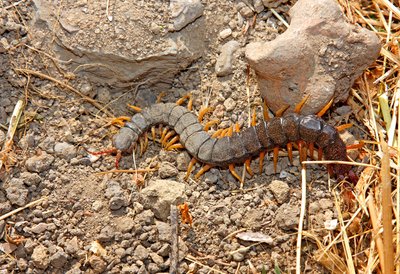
(132, 44)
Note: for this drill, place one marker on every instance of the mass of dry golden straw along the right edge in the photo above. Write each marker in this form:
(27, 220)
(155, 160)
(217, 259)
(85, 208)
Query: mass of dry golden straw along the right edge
(367, 240)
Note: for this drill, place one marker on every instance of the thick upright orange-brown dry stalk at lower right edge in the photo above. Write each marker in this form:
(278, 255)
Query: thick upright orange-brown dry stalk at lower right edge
(387, 210)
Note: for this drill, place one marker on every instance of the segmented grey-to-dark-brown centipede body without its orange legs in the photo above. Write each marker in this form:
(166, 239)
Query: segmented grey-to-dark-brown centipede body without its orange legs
(277, 131)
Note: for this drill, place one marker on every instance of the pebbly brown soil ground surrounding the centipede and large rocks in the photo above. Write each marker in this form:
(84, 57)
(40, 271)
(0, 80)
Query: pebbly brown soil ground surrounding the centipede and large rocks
(119, 223)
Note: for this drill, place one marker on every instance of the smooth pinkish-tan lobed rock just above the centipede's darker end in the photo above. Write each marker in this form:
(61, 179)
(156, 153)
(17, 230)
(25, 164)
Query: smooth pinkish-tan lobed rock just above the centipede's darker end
(320, 55)
